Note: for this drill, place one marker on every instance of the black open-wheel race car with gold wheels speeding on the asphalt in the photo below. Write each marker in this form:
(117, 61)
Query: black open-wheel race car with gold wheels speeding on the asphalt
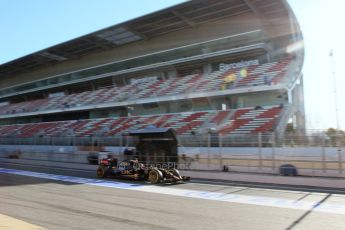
(132, 169)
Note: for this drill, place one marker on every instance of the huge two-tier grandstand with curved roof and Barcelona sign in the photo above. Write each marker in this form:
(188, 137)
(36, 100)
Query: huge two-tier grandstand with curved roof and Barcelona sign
(221, 66)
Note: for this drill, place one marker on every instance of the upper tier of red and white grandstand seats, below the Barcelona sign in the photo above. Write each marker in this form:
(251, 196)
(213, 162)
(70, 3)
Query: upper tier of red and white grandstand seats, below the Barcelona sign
(268, 73)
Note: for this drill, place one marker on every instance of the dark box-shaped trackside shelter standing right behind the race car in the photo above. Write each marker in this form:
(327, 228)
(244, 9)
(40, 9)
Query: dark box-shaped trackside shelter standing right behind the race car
(155, 145)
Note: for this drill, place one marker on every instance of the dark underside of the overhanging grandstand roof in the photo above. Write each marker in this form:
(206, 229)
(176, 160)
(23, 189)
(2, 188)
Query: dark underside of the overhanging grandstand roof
(185, 15)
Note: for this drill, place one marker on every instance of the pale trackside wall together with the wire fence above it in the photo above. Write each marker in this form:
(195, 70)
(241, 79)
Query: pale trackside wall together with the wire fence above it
(314, 155)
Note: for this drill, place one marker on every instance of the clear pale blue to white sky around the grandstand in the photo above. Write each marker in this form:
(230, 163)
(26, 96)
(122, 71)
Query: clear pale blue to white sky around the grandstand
(29, 26)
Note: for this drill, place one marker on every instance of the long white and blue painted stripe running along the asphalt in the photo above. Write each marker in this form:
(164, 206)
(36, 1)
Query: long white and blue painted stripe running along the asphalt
(215, 196)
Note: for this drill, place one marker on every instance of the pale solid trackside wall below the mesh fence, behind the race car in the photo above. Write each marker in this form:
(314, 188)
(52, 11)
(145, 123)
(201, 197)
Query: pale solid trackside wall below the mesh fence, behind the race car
(310, 161)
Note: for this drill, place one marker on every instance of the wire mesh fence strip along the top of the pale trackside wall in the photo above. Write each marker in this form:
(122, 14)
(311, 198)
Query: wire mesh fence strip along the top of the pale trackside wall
(192, 140)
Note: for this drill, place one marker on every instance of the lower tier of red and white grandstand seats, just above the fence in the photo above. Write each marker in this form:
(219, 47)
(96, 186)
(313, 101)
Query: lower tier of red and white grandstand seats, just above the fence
(240, 122)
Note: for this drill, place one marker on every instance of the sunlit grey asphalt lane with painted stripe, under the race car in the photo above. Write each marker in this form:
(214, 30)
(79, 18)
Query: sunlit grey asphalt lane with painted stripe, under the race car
(62, 204)
